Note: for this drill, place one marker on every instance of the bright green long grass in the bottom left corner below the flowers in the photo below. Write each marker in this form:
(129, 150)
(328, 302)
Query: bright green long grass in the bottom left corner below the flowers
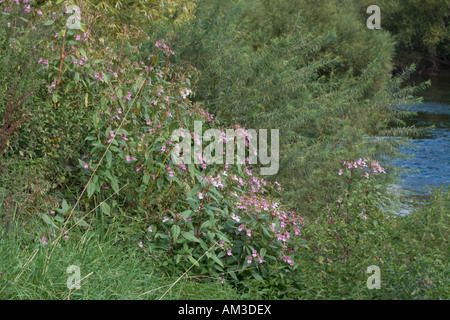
(111, 272)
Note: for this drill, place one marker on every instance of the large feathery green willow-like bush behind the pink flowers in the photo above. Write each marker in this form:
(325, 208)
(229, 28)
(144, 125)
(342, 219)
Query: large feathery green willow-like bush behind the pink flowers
(327, 87)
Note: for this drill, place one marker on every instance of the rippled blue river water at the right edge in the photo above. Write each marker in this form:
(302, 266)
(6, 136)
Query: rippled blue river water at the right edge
(431, 161)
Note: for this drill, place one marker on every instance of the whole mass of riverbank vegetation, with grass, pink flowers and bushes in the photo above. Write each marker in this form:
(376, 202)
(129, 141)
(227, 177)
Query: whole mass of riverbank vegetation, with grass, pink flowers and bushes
(87, 179)
